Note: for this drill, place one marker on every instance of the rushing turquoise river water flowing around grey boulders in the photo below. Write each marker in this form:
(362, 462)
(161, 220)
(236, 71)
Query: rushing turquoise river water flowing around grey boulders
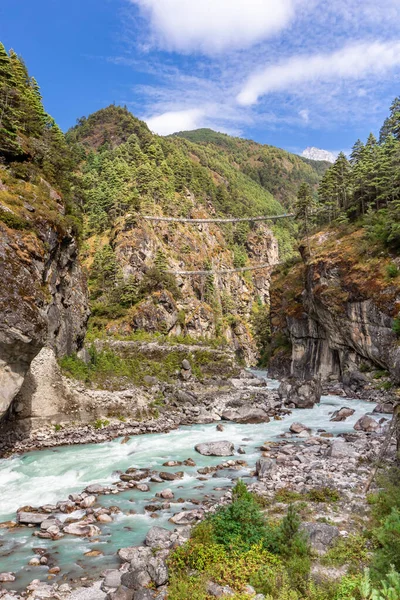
(47, 476)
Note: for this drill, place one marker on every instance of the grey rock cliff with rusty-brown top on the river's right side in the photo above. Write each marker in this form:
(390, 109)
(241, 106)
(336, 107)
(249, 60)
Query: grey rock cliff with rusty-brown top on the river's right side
(335, 315)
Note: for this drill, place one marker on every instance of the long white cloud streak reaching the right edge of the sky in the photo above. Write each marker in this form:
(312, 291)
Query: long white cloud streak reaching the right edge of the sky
(352, 62)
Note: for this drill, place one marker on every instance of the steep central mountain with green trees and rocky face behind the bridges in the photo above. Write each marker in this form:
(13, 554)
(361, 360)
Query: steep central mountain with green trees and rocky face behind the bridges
(126, 172)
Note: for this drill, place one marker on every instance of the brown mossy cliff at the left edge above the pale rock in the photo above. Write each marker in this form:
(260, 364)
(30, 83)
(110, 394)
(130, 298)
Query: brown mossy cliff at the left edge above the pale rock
(43, 300)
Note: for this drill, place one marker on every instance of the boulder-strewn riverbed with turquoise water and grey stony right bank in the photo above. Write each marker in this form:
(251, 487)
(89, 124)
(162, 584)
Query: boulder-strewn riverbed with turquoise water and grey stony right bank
(170, 484)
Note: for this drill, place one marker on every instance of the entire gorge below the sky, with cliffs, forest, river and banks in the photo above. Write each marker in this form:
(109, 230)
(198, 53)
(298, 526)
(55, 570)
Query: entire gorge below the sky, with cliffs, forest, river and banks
(131, 415)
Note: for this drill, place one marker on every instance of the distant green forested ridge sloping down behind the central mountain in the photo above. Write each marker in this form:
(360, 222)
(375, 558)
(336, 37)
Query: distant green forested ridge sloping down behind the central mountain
(276, 170)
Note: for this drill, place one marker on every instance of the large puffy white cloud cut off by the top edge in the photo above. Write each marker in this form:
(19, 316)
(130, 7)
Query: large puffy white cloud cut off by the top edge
(212, 26)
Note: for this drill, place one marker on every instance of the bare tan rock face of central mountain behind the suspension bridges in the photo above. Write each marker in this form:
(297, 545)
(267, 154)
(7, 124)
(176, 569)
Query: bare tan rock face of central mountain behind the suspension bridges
(200, 307)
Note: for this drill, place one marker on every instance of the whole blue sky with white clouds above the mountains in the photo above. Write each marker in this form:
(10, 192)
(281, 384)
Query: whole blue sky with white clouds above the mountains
(291, 73)
